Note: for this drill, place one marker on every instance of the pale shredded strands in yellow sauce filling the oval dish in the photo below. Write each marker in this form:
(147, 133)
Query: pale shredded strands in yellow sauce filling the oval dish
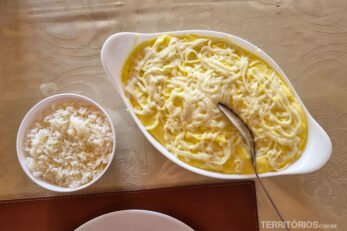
(175, 83)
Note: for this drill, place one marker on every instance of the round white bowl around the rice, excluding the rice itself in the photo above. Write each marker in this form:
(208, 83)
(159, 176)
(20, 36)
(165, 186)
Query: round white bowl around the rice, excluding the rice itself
(32, 115)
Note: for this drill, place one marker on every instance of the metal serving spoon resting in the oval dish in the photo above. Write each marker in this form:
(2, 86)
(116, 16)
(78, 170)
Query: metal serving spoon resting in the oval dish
(247, 136)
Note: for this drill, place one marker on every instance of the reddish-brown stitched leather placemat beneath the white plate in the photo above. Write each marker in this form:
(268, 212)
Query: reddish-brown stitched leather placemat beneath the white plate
(208, 207)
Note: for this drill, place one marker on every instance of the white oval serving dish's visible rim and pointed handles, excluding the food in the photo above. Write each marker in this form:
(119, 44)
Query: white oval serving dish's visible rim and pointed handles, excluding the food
(118, 47)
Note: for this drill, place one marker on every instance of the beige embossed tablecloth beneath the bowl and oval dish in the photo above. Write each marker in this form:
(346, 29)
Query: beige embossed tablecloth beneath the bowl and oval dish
(49, 47)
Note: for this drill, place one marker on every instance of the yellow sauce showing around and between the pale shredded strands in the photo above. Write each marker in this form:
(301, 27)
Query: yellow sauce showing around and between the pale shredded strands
(240, 153)
